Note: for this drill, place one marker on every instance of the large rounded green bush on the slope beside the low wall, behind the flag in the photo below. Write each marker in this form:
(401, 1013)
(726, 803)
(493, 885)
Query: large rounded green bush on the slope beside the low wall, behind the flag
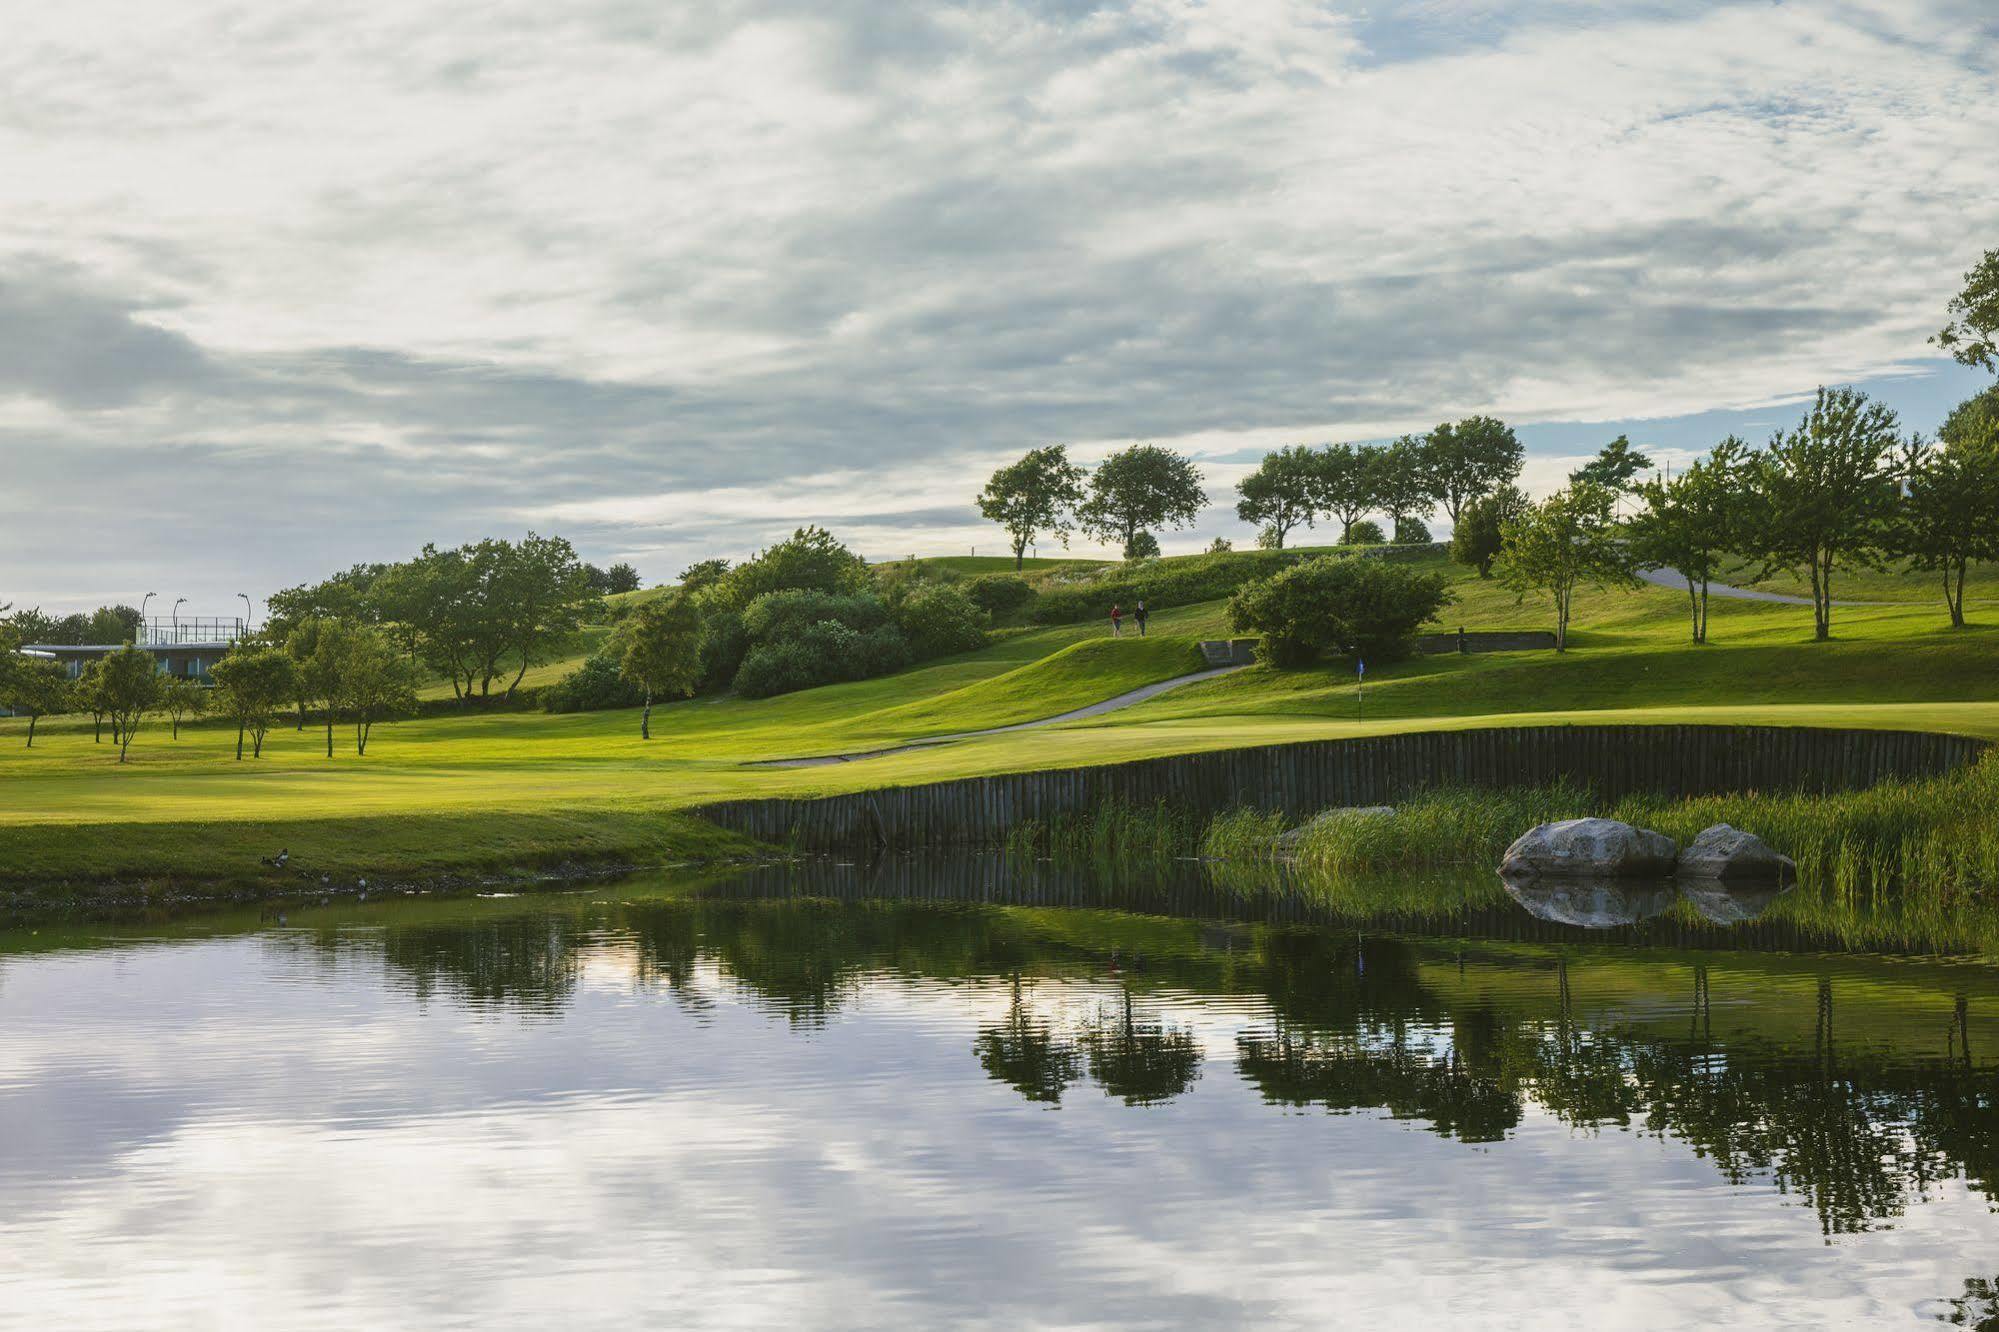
(1338, 605)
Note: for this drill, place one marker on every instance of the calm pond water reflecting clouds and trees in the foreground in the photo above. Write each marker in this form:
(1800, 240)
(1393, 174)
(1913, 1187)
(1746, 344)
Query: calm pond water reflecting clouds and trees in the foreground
(973, 1093)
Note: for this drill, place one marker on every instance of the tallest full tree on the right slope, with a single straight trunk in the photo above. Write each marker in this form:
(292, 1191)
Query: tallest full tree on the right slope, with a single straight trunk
(1824, 495)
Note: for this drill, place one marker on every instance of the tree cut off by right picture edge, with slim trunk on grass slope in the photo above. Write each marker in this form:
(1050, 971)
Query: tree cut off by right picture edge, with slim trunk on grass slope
(1950, 517)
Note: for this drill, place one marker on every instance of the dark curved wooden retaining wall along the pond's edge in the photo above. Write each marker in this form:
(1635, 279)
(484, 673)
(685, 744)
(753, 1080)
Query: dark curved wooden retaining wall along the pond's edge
(1302, 779)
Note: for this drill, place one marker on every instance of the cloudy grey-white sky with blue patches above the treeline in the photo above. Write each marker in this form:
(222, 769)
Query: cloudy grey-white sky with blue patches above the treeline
(291, 287)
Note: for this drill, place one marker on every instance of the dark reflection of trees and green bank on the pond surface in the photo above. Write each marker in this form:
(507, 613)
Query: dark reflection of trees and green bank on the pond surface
(1830, 1095)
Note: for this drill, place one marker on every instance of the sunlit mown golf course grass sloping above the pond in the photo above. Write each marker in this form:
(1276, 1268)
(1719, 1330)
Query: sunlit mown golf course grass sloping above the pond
(469, 789)
